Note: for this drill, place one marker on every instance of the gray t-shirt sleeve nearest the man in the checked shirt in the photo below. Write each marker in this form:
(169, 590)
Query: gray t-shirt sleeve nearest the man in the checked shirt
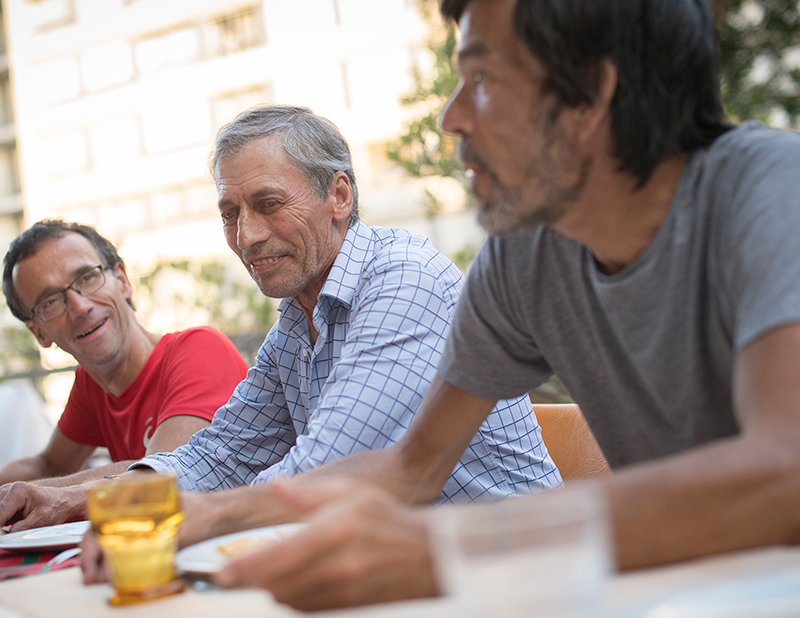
(490, 351)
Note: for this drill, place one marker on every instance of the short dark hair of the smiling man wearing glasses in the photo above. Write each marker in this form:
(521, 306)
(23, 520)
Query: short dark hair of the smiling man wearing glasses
(28, 243)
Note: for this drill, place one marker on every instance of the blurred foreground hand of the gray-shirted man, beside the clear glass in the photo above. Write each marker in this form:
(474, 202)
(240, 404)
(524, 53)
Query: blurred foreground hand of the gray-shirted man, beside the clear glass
(364, 547)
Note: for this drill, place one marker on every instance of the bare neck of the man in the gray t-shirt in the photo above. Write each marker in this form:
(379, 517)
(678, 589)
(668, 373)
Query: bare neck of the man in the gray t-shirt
(616, 220)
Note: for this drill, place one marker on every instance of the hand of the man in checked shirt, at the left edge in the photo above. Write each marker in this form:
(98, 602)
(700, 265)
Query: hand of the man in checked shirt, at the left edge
(28, 506)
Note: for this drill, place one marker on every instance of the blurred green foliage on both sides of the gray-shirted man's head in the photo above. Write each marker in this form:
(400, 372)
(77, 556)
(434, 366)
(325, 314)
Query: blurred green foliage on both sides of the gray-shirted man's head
(760, 80)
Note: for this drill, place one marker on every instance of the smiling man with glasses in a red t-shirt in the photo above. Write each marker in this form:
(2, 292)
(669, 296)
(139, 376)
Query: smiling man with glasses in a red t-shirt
(135, 392)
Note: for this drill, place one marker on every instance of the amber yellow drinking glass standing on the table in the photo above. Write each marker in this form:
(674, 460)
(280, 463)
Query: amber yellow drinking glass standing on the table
(136, 522)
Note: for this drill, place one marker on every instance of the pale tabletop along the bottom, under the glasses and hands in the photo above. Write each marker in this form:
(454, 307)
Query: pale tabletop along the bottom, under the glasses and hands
(653, 593)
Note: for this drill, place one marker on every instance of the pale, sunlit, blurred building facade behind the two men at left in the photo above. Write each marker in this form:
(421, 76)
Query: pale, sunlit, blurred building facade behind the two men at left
(117, 103)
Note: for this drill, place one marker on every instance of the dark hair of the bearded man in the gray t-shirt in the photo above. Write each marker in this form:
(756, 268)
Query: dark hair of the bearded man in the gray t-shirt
(667, 100)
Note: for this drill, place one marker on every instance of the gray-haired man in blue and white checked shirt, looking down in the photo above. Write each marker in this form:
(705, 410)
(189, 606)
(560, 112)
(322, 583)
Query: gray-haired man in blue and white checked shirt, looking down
(364, 315)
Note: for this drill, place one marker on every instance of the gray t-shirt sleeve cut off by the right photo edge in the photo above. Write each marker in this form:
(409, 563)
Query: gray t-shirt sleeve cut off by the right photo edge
(758, 242)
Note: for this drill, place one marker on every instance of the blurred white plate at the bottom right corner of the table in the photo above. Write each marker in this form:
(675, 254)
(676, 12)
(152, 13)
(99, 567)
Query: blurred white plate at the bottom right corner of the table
(773, 595)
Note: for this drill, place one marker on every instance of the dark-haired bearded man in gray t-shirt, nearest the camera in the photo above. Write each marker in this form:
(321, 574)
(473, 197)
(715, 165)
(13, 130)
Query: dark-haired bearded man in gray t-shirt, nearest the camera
(642, 249)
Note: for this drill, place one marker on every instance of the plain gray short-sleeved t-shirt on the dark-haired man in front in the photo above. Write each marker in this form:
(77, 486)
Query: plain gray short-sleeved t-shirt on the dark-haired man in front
(647, 352)
